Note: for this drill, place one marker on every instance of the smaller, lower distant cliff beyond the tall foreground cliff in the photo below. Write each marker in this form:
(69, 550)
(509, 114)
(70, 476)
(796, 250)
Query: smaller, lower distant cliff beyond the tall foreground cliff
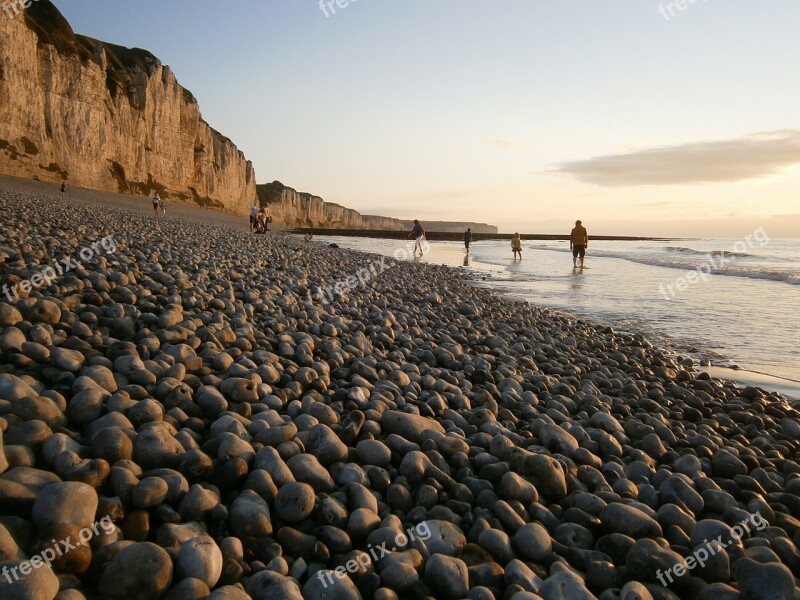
(296, 209)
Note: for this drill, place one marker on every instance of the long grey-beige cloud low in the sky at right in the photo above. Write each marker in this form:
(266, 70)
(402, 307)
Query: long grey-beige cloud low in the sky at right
(721, 161)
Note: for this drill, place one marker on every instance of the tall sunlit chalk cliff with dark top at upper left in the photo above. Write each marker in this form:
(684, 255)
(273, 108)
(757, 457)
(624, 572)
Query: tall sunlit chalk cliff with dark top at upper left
(105, 117)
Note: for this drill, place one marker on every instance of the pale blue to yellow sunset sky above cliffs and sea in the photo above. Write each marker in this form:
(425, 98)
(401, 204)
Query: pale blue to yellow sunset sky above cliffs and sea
(638, 117)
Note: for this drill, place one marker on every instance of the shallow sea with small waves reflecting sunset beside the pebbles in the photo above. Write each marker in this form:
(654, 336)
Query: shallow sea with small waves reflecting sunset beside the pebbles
(729, 304)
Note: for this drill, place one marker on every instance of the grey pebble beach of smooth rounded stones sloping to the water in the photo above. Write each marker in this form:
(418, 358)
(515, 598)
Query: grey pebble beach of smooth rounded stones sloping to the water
(238, 432)
